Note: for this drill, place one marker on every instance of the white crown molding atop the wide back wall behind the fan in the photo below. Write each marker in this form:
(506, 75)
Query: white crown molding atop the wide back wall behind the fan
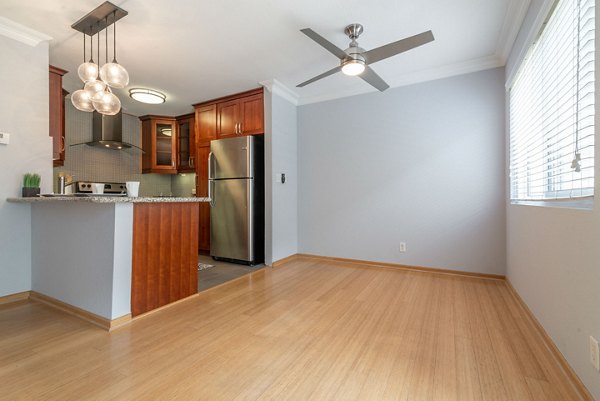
(432, 74)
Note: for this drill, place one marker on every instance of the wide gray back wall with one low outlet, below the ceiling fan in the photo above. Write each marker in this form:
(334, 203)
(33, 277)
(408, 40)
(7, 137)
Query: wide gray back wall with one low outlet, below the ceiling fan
(422, 164)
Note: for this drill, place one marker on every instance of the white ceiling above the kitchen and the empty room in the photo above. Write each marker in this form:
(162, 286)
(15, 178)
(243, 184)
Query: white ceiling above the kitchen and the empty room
(196, 50)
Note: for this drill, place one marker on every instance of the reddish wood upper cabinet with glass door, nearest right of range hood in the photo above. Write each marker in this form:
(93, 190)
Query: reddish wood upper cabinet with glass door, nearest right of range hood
(159, 142)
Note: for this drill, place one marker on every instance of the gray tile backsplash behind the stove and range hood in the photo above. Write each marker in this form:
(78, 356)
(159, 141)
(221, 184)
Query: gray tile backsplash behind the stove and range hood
(94, 164)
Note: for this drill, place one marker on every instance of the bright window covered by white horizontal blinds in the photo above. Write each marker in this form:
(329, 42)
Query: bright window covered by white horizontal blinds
(552, 109)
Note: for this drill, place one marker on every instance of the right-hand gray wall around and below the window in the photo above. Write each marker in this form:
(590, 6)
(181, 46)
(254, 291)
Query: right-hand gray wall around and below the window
(553, 257)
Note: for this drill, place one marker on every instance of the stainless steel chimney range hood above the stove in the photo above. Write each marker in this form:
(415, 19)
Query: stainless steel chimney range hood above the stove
(107, 132)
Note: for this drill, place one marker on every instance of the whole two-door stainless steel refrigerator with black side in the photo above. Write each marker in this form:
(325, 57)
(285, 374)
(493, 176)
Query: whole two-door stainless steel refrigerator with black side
(236, 188)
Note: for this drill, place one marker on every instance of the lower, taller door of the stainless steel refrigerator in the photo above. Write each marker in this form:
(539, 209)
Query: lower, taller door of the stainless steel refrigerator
(231, 223)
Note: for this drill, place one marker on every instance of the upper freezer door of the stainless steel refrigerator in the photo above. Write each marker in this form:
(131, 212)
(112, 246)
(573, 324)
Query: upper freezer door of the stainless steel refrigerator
(232, 157)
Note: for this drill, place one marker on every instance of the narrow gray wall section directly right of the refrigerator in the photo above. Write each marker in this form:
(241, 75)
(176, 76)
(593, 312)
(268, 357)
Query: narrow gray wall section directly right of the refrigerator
(281, 156)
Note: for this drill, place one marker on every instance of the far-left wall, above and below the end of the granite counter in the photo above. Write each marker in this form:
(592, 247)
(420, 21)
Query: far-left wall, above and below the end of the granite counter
(23, 114)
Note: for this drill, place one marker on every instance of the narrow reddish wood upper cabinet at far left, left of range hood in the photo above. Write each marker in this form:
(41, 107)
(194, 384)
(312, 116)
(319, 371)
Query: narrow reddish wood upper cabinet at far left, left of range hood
(57, 115)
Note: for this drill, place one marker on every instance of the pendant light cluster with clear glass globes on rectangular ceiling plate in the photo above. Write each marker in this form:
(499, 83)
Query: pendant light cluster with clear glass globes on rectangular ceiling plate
(96, 93)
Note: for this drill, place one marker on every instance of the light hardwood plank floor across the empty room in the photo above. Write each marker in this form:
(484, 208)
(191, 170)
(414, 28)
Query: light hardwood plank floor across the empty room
(306, 331)
